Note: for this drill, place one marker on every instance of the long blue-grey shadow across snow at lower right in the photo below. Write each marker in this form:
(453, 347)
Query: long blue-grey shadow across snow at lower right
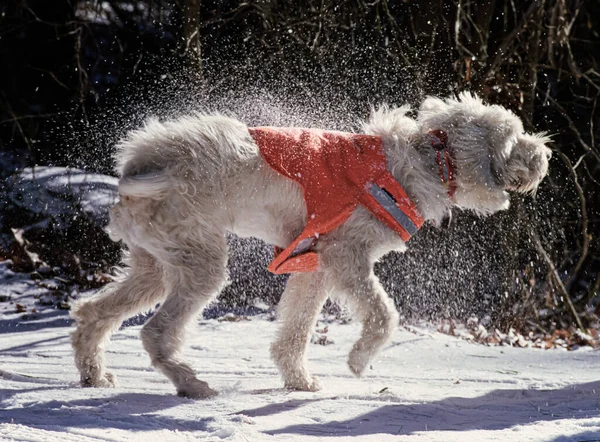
(496, 410)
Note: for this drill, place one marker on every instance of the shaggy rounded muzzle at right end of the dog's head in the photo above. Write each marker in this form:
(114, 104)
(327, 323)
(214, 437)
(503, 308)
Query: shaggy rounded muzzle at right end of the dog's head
(527, 164)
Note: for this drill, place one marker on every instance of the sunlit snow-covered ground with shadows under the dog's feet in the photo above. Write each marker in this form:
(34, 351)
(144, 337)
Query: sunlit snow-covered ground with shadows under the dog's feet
(425, 386)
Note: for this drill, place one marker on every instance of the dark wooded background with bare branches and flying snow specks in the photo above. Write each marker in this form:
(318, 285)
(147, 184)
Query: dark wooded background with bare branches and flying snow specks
(76, 75)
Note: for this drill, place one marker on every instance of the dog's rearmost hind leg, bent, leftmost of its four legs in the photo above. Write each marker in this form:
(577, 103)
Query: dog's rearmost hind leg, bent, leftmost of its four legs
(101, 315)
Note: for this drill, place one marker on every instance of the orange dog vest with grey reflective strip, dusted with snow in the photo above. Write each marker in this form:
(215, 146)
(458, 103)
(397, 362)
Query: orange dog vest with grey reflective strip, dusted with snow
(337, 171)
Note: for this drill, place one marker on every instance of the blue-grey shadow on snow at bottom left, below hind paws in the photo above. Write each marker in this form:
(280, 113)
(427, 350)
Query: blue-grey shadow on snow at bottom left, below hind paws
(125, 411)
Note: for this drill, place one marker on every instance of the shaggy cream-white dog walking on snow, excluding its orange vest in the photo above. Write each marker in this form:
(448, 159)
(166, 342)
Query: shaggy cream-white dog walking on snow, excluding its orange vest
(186, 183)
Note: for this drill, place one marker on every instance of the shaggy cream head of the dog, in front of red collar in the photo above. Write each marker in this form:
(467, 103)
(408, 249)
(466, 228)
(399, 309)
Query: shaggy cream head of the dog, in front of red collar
(492, 153)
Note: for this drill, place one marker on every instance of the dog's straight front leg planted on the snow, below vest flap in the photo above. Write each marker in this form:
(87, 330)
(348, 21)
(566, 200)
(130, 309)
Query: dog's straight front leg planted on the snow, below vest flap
(298, 309)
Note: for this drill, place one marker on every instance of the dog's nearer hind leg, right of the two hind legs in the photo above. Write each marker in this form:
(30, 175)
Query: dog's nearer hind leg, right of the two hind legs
(194, 274)
